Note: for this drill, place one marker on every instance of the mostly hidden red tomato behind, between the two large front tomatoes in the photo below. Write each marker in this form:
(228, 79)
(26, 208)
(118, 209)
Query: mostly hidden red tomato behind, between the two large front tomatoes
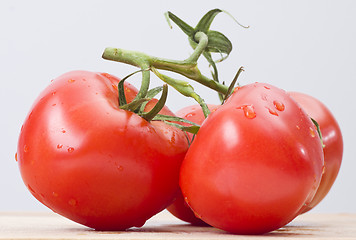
(179, 208)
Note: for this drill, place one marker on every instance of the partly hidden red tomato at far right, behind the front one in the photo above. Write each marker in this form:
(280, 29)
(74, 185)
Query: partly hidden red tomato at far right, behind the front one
(332, 139)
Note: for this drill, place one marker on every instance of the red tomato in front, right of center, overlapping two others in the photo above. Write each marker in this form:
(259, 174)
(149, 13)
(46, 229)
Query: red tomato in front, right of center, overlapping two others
(252, 175)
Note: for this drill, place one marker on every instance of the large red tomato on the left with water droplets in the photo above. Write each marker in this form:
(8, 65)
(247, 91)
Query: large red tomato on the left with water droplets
(98, 165)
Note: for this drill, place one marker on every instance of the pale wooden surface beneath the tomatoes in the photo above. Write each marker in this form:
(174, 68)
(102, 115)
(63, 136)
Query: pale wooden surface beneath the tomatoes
(165, 226)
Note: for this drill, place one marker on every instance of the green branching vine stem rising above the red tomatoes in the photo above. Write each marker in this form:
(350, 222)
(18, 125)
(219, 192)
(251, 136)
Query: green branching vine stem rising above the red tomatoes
(204, 42)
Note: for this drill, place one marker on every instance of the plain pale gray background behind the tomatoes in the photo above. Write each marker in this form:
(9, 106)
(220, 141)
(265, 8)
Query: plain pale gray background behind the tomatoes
(306, 46)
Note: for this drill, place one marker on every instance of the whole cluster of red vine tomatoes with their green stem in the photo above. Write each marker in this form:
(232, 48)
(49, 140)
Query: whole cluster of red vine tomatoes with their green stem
(98, 151)
